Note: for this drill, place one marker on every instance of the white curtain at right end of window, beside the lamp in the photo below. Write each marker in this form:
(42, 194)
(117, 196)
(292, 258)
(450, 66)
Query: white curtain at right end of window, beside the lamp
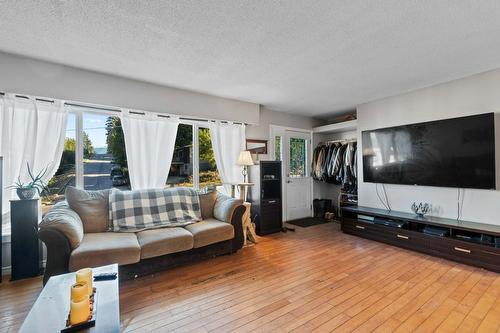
(228, 140)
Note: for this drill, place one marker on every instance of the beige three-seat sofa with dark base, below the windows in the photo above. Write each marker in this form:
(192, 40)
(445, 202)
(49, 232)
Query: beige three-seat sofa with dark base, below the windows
(76, 235)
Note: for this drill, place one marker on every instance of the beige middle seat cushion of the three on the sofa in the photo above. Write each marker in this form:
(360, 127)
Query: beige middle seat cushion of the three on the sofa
(157, 242)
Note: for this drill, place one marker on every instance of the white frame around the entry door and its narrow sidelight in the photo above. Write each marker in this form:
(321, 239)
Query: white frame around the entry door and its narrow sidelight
(277, 130)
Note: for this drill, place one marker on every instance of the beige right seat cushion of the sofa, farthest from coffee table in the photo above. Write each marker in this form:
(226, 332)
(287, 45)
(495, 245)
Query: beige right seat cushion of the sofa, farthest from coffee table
(210, 231)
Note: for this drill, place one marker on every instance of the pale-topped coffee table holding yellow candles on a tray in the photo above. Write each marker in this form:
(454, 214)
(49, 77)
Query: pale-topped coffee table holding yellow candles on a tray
(50, 311)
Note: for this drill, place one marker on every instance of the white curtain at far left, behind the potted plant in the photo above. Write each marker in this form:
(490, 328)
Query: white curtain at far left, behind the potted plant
(31, 132)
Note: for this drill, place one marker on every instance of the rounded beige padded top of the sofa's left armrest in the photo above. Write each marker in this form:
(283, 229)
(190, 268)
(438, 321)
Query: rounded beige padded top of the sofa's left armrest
(65, 220)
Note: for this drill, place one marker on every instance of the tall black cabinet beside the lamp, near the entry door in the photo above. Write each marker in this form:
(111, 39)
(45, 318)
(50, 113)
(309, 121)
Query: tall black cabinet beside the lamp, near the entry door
(265, 196)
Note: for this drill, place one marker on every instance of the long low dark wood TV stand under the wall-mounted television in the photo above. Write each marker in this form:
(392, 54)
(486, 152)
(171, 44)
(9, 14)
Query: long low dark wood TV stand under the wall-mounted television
(472, 243)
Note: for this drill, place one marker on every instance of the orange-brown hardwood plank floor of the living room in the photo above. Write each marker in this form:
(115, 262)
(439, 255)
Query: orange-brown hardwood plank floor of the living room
(314, 280)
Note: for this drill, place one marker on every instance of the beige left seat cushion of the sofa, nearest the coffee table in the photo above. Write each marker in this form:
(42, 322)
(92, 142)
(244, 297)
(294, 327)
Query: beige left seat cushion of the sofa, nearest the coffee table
(104, 248)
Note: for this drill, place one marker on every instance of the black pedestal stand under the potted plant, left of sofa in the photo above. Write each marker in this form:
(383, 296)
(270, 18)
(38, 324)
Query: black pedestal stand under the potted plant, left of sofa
(25, 245)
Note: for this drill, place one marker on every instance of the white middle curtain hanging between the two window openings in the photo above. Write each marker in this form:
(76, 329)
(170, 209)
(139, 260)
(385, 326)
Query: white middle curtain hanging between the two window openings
(150, 143)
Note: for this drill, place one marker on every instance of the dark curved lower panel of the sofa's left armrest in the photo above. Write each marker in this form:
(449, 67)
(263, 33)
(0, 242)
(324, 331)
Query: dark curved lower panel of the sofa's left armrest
(58, 252)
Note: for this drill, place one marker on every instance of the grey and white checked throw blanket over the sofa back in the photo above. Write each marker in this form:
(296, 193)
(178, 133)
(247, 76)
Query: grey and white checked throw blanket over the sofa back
(132, 211)
